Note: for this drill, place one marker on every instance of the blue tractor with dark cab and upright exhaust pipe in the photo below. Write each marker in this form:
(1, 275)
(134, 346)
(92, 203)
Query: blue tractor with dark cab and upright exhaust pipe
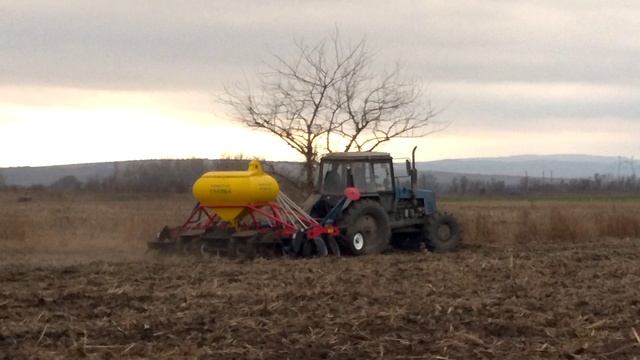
(389, 210)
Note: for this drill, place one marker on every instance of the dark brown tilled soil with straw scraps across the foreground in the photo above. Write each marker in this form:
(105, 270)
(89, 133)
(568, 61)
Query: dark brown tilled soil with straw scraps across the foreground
(569, 300)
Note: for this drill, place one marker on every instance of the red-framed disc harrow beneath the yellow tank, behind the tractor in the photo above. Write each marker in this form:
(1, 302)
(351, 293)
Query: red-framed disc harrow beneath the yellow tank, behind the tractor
(271, 229)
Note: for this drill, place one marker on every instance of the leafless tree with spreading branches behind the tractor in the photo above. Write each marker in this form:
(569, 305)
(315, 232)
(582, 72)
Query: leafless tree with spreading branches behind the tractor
(328, 98)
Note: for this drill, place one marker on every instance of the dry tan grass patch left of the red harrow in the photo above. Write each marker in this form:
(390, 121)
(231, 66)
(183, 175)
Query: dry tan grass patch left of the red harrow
(85, 226)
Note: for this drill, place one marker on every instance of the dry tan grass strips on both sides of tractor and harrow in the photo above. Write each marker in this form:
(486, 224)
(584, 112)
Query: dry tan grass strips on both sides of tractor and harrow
(77, 226)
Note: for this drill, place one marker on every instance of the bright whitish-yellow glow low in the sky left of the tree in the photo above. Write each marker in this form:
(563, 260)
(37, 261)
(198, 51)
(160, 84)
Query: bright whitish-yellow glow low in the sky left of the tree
(107, 126)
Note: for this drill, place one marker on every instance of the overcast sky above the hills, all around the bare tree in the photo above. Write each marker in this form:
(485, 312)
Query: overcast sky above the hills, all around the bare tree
(109, 80)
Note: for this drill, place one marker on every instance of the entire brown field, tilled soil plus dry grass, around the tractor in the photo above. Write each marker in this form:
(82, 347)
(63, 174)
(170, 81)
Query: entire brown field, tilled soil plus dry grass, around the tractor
(537, 279)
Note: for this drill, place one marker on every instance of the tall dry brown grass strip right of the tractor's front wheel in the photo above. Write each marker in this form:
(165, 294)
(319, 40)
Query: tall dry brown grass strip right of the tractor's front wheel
(521, 222)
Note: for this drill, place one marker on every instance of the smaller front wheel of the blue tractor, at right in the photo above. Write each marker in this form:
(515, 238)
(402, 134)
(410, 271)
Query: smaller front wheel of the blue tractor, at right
(442, 233)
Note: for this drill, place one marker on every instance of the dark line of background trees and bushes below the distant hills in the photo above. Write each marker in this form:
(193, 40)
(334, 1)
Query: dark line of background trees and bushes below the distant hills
(177, 176)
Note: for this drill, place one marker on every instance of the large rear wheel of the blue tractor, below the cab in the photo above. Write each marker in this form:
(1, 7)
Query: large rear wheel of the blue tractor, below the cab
(367, 228)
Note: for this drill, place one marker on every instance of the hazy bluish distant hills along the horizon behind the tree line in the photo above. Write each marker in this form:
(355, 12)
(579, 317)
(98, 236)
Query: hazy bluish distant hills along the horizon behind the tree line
(508, 169)
